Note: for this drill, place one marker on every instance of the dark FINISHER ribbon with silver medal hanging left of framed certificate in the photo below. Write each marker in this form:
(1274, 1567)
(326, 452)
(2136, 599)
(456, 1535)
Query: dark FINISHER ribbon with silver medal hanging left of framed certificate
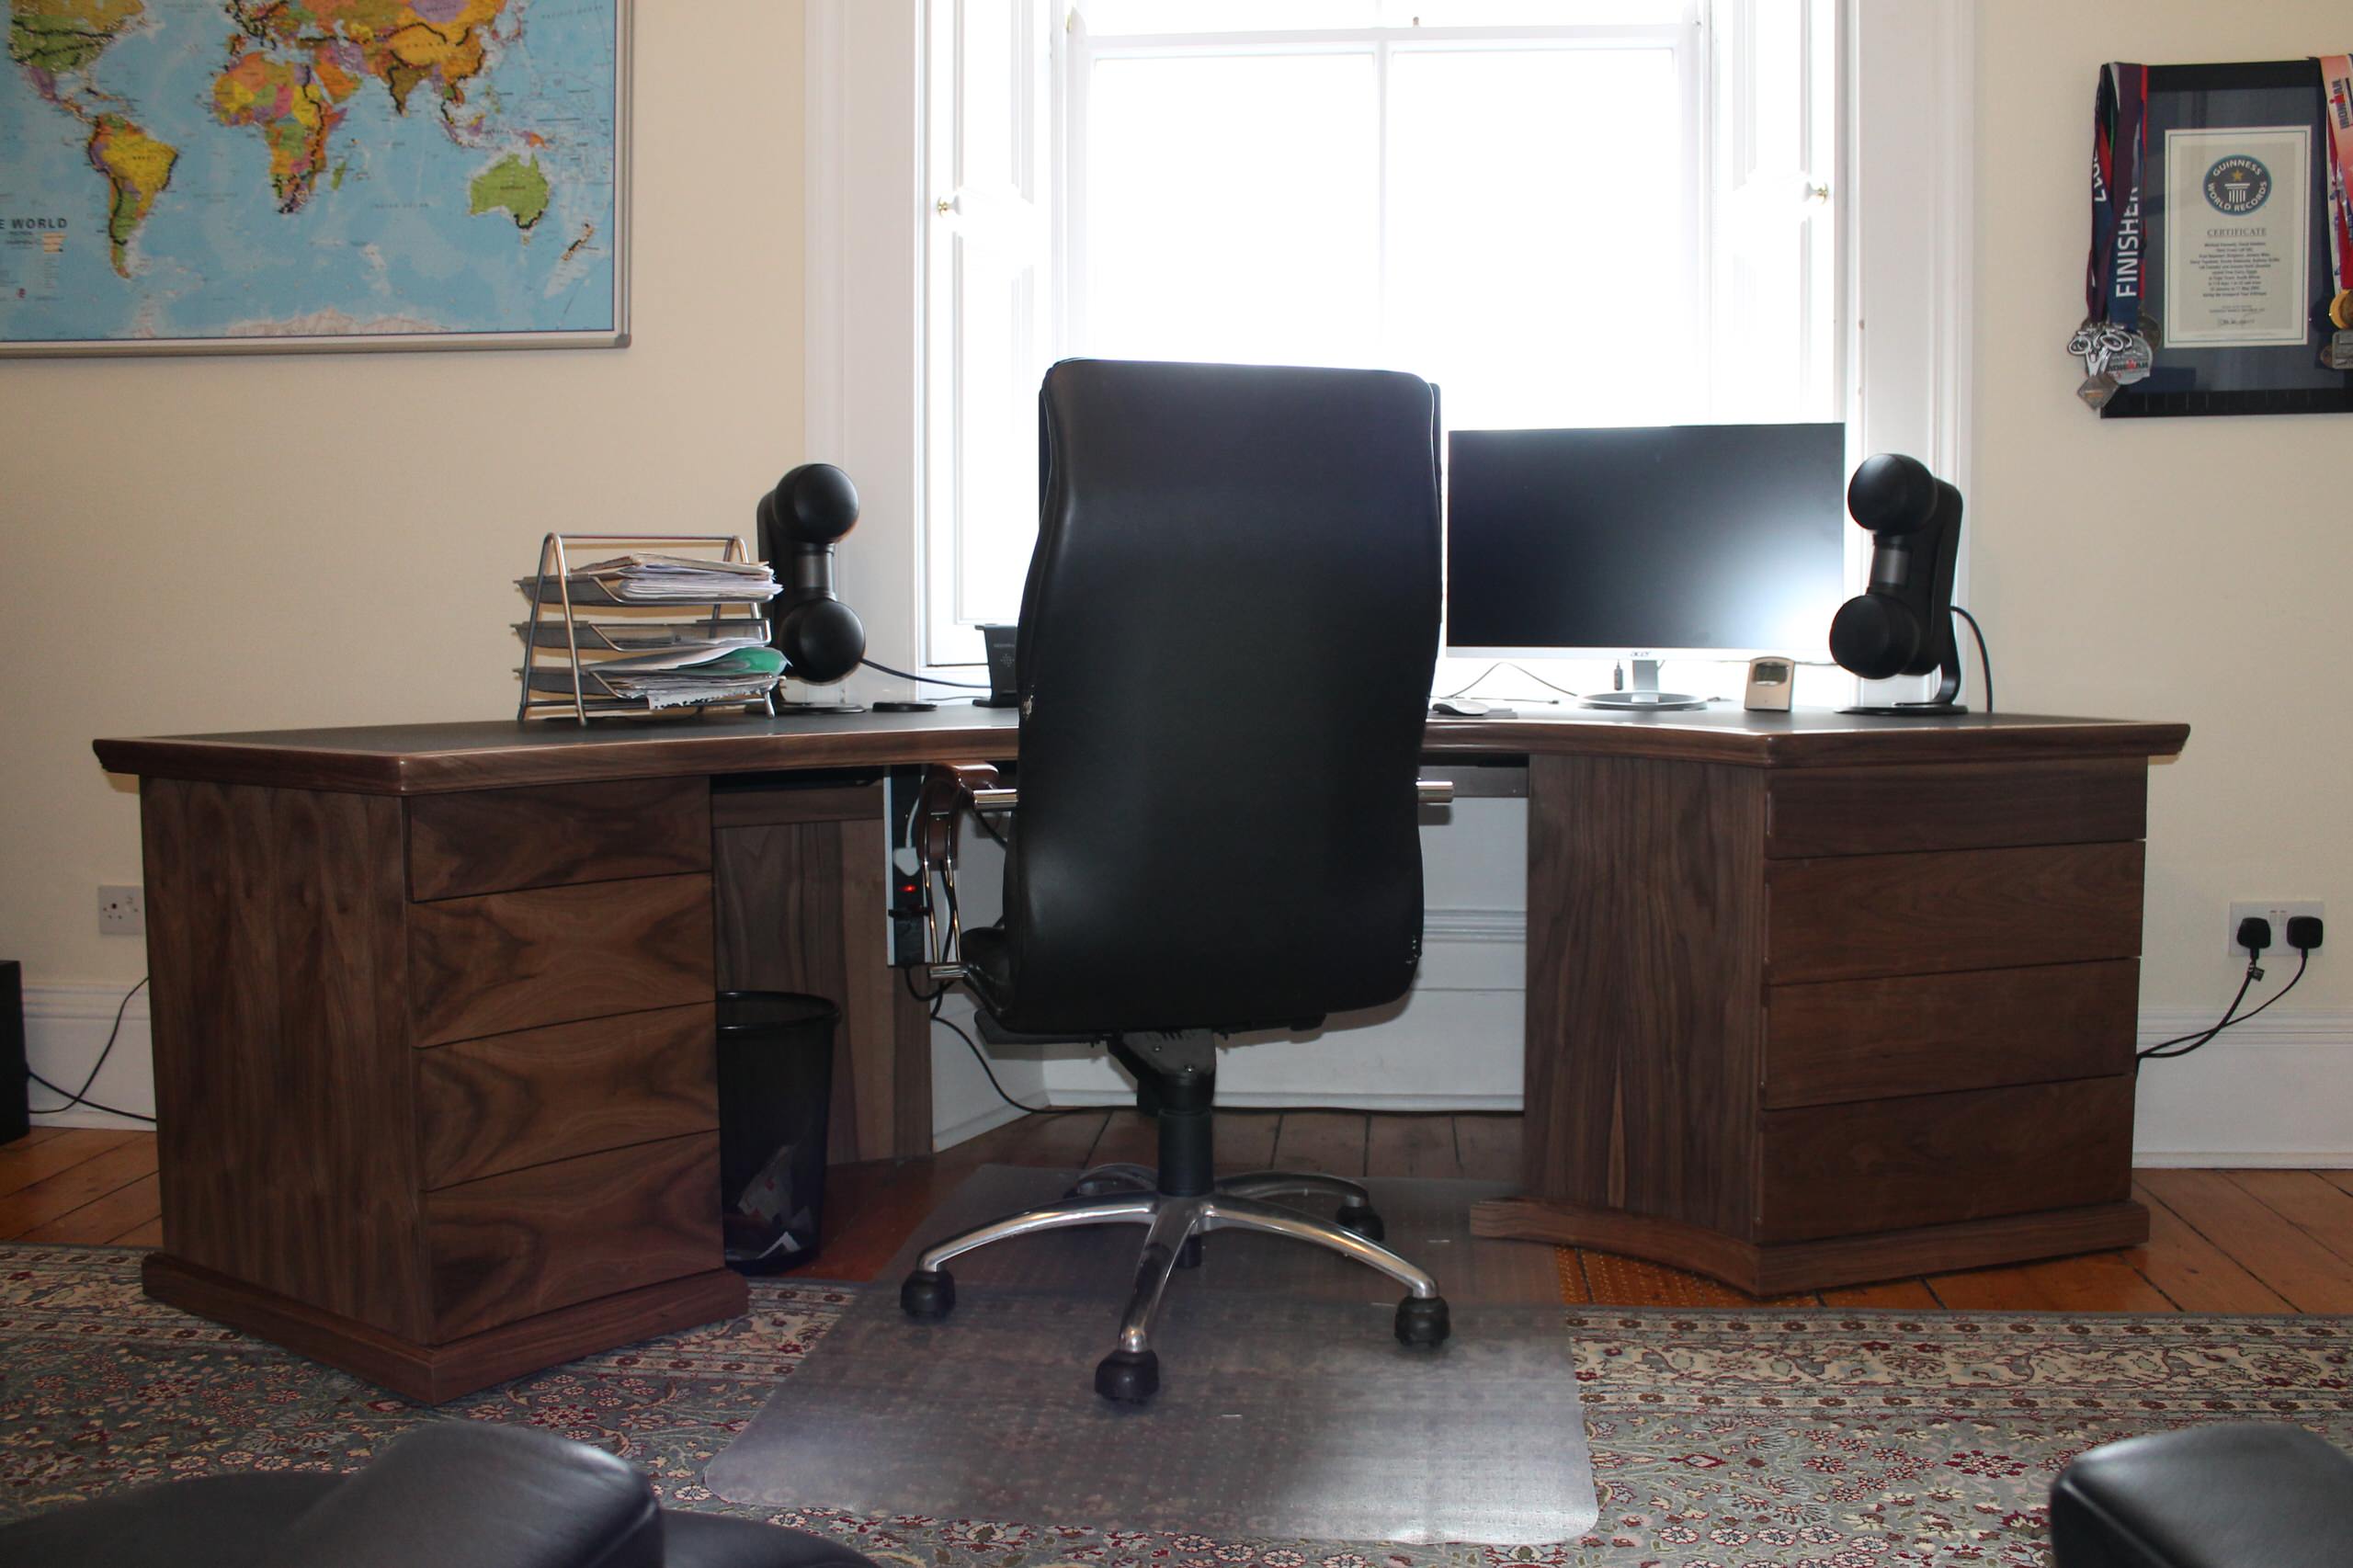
(2109, 343)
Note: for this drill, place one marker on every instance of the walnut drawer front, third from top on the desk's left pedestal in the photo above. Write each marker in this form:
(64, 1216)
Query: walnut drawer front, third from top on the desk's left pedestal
(542, 1096)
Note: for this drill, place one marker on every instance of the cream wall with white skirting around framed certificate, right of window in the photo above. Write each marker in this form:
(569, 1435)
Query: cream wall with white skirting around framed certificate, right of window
(2168, 569)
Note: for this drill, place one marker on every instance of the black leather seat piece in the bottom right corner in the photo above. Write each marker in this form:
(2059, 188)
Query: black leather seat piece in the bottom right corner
(2229, 1496)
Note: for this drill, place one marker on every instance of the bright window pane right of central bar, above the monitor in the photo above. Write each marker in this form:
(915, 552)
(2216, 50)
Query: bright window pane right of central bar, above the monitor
(1540, 265)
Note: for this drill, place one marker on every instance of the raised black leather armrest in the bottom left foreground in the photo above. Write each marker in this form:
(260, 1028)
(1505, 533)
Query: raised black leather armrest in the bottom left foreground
(479, 1496)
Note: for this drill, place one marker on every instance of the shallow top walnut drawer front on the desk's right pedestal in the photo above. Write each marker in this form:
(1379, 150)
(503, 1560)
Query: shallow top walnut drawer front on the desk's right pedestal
(1989, 806)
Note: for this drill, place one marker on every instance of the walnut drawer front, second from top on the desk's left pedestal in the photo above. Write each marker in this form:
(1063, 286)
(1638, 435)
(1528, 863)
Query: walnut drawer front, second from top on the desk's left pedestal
(559, 955)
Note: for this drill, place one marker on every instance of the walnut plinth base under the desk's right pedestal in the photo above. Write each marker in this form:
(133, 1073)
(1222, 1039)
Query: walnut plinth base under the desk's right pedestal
(1782, 1268)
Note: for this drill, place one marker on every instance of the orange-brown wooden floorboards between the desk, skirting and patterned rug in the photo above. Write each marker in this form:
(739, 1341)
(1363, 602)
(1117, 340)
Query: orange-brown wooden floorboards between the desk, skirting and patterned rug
(2220, 1240)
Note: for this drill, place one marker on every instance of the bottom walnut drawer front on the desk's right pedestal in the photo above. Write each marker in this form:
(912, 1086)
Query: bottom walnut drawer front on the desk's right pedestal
(1938, 1160)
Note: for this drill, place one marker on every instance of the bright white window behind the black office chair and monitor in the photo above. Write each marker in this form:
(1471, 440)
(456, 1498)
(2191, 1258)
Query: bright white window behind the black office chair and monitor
(1557, 211)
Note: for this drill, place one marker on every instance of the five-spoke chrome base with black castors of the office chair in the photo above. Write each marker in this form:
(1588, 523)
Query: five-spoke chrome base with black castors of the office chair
(1173, 1230)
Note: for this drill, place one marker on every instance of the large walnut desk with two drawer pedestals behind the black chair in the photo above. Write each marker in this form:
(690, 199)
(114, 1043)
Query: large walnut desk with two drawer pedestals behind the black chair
(1811, 999)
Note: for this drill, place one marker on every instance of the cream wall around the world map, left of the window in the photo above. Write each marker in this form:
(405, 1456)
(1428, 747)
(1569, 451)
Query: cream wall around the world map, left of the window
(316, 540)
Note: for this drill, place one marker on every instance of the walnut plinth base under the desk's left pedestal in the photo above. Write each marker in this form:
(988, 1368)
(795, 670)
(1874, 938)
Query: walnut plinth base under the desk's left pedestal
(434, 1374)
